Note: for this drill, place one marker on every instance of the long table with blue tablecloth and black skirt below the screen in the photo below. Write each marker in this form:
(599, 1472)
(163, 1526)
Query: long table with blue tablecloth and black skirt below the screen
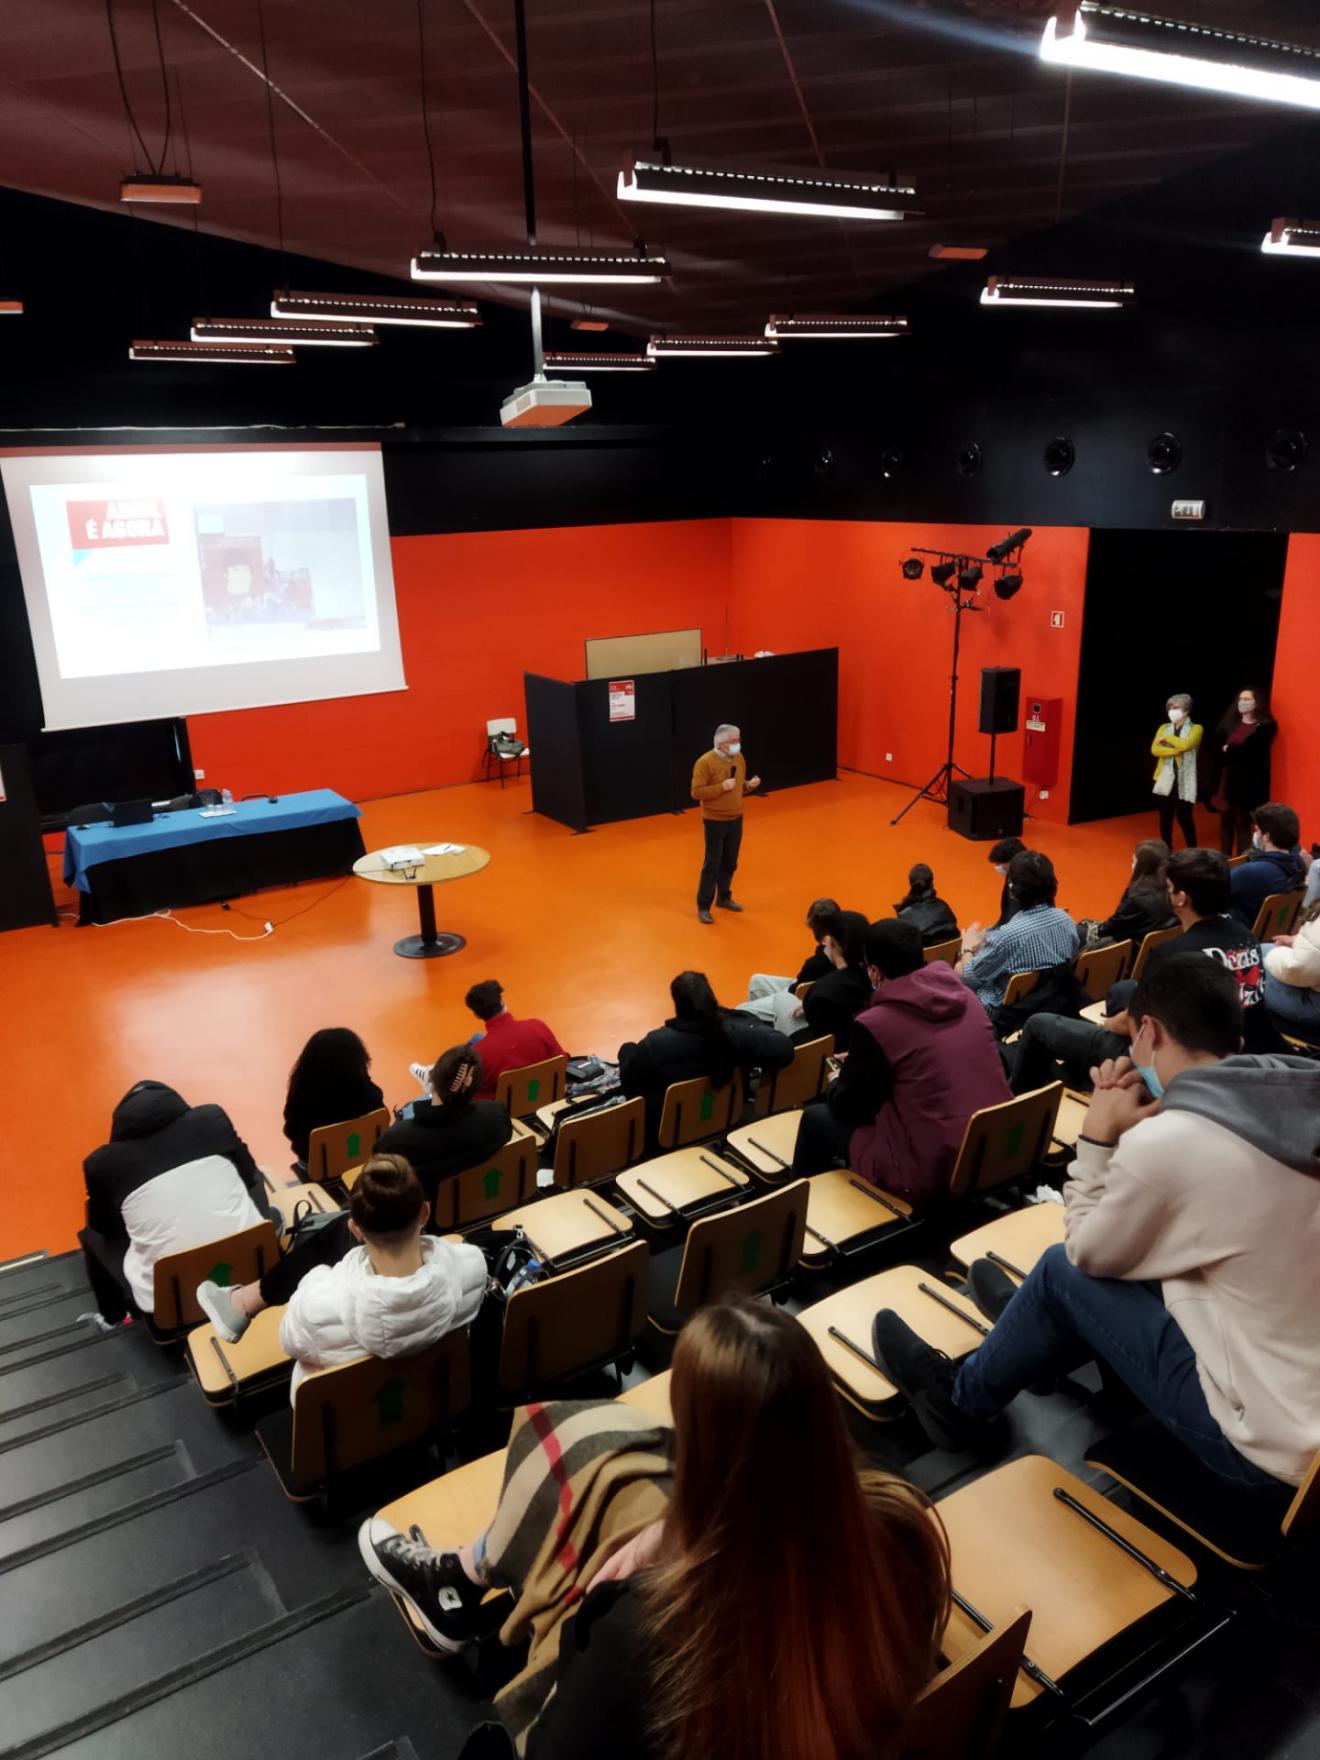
(194, 858)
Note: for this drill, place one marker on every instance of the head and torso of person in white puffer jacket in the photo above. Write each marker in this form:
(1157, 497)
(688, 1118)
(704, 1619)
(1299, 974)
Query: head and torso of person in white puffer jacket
(395, 1294)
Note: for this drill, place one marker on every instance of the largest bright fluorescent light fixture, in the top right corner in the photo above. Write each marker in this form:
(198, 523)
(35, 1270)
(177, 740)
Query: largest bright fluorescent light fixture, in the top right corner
(1113, 41)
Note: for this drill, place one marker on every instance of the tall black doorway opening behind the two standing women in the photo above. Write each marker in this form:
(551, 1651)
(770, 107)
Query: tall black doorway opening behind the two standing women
(1166, 612)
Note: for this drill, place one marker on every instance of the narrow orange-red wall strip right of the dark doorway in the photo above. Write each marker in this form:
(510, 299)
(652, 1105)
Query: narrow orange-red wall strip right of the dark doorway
(1296, 772)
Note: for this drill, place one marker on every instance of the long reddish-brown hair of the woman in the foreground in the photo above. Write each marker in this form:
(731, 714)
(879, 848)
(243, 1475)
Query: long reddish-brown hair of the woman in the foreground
(798, 1604)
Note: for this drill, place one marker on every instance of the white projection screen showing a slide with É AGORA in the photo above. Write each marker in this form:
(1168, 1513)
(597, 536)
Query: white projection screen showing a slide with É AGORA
(173, 583)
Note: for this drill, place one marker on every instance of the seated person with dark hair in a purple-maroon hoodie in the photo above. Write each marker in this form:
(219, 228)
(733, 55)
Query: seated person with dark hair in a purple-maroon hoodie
(921, 1062)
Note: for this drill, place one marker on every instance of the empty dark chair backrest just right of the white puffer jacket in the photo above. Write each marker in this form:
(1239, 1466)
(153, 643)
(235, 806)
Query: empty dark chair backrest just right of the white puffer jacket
(573, 1323)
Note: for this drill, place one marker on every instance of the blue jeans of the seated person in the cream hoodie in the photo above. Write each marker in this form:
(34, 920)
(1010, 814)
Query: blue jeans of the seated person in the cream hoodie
(1064, 1317)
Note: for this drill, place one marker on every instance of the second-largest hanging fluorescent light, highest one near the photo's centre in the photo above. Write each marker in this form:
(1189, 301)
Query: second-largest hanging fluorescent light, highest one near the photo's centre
(828, 196)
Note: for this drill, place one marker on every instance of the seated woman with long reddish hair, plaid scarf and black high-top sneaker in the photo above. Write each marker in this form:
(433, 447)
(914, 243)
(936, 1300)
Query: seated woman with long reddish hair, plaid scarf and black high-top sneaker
(707, 1610)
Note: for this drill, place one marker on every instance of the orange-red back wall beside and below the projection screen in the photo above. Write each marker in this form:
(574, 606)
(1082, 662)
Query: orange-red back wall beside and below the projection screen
(476, 612)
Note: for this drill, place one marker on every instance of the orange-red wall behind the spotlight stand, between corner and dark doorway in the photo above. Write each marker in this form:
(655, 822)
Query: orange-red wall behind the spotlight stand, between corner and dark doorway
(802, 583)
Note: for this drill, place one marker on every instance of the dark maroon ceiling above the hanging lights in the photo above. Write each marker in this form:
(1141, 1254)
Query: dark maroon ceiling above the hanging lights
(999, 143)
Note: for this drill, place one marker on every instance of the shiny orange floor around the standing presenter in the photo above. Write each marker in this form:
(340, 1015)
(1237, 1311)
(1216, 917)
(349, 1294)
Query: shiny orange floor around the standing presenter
(585, 932)
